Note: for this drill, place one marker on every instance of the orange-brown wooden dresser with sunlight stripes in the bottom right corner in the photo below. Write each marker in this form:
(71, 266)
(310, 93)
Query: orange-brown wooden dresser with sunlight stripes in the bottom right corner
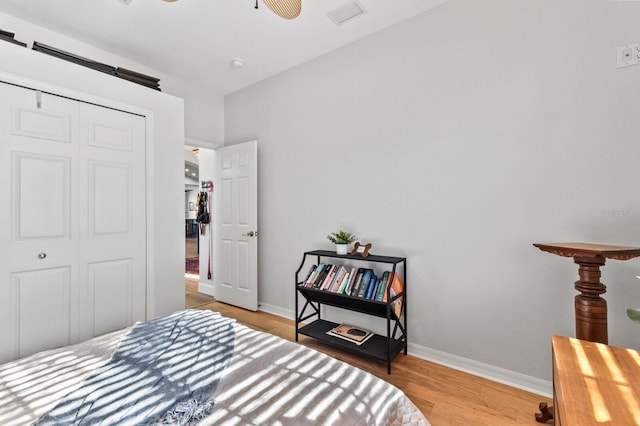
(595, 384)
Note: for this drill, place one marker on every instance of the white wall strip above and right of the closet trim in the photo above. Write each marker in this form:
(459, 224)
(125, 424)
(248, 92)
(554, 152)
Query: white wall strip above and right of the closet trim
(165, 168)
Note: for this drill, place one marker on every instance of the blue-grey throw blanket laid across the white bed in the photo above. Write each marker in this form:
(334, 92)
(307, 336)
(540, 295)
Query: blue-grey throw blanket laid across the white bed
(164, 371)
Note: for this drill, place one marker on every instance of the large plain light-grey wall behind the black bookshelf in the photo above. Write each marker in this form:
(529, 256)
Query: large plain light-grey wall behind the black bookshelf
(458, 139)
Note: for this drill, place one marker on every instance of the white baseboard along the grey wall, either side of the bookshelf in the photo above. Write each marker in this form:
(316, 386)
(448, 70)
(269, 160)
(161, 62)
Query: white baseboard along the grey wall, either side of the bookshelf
(490, 372)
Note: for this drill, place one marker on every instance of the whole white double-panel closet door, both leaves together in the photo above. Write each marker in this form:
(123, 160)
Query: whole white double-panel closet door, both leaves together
(72, 221)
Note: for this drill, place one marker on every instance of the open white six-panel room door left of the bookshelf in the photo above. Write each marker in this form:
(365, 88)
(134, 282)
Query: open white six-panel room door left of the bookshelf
(235, 268)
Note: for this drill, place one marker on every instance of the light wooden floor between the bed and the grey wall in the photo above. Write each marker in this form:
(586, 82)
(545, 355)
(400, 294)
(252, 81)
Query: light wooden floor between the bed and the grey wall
(444, 395)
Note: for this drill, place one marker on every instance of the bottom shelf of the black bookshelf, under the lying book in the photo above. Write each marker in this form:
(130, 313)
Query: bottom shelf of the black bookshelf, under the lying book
(375, 347)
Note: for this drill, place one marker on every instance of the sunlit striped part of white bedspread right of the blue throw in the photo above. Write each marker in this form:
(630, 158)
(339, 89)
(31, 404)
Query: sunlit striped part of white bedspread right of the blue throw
(276, 382)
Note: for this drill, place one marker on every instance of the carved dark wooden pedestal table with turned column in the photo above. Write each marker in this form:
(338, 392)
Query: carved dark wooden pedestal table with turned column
(590, 308)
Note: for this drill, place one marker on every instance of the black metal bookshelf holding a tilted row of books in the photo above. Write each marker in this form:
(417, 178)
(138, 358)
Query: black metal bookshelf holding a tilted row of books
(381, 347)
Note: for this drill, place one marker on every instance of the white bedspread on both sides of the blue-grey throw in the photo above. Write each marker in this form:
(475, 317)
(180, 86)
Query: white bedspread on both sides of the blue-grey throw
(267, 381)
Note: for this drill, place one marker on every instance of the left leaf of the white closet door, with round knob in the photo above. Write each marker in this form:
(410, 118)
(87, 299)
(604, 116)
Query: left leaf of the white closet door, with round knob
(39, 286)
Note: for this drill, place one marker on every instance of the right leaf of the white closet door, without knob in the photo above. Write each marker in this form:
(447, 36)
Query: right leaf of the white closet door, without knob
(112, 219)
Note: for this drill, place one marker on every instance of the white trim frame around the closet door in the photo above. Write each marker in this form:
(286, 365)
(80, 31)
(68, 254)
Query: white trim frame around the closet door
(77, 95)
